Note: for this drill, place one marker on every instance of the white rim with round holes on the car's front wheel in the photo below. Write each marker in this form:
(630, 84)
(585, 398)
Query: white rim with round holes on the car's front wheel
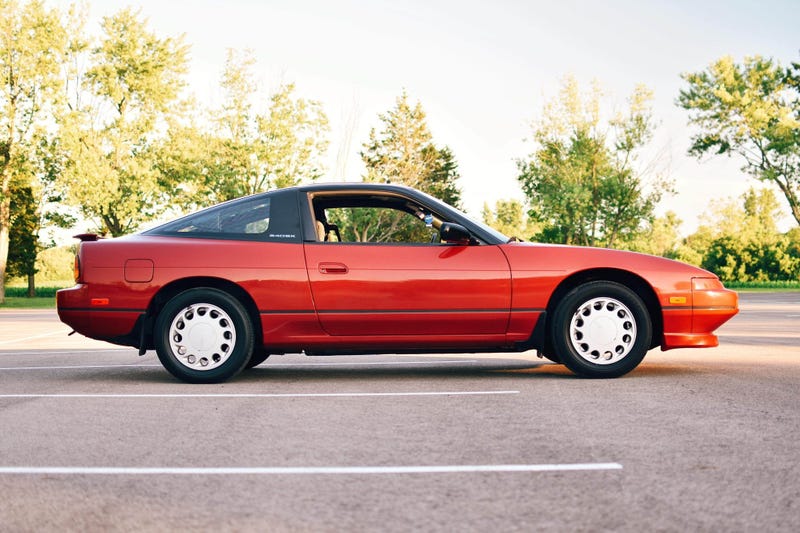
(603, 331)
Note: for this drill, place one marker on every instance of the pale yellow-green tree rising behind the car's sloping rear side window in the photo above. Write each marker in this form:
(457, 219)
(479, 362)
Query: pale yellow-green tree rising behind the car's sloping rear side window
(247, 149)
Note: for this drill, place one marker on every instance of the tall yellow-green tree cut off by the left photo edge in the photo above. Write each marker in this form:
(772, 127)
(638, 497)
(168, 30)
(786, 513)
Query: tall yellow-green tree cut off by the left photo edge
(32, 47)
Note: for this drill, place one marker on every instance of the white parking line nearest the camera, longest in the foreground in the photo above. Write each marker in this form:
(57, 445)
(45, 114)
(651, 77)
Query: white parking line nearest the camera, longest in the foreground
(303, 470)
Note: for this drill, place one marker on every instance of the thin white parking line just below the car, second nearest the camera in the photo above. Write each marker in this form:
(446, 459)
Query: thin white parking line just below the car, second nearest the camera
(256, 395)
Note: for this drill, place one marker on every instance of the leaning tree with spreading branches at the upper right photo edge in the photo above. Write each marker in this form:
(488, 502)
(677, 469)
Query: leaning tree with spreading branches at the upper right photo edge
(751, 110)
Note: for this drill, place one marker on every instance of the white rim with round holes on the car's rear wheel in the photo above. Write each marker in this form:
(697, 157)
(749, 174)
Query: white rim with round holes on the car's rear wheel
(202, 336)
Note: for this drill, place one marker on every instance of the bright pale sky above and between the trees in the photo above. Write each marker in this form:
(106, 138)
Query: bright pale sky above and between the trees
(482, 70)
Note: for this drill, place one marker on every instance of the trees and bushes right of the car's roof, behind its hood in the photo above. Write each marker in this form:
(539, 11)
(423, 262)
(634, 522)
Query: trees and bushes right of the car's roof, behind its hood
(584, 182)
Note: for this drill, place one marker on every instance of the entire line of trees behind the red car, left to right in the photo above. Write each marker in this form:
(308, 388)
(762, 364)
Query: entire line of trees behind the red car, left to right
(99, 128)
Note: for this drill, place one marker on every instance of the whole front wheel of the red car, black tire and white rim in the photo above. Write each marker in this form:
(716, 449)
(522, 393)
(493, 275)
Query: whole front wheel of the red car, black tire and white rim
(601, 329)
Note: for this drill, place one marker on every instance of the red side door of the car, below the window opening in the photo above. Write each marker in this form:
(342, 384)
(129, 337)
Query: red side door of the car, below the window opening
(401, 288)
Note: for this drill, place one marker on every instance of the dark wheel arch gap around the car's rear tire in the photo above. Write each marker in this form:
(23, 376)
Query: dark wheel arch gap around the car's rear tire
(172, 289)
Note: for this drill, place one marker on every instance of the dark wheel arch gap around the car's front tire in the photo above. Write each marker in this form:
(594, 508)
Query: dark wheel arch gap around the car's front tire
(633, 281)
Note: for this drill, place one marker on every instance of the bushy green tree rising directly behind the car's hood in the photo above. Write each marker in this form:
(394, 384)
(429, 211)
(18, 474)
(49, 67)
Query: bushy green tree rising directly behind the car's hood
(581, 181)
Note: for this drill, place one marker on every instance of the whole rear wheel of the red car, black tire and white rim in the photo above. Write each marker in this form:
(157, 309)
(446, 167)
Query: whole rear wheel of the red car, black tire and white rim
(203, 335)
